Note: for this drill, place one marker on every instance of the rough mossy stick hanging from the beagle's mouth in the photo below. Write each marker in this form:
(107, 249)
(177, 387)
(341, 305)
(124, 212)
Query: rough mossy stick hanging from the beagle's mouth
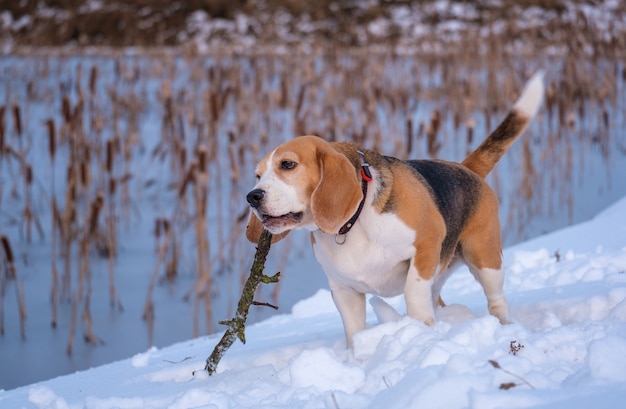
(237, 325)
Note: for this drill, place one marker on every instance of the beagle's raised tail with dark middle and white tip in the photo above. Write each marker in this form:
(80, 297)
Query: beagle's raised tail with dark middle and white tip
(484, 158)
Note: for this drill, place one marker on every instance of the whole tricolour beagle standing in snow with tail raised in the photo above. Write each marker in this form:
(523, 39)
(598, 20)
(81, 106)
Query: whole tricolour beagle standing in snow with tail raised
(385, 226)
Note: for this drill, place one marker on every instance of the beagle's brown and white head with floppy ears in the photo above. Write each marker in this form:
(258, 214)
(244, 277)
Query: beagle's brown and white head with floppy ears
(303, 184)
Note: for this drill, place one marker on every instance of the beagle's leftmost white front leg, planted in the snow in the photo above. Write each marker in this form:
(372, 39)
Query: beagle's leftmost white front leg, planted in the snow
(351, 306)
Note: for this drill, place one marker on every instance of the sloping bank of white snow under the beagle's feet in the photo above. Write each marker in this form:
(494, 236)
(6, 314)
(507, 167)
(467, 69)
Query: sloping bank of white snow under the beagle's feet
(567, 292)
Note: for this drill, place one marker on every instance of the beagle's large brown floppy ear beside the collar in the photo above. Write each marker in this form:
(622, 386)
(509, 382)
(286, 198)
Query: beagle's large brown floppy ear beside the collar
(338, 193)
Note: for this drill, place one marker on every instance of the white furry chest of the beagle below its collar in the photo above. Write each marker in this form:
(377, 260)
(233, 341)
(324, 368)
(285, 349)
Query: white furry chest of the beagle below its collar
(374, 258)
